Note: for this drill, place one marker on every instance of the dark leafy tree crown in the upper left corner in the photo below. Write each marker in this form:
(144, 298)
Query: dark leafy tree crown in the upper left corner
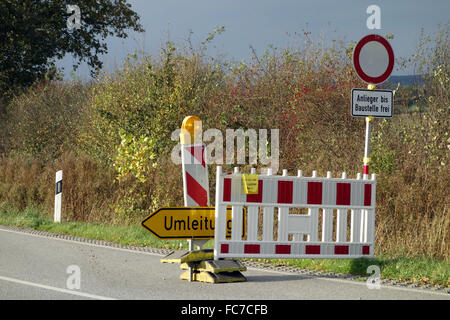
(34, 33)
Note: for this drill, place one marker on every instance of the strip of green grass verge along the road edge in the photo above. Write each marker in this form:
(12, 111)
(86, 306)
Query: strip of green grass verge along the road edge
(400, 268)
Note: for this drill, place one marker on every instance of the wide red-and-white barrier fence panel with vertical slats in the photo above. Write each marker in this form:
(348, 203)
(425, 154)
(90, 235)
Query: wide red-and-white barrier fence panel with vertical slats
(298, 235)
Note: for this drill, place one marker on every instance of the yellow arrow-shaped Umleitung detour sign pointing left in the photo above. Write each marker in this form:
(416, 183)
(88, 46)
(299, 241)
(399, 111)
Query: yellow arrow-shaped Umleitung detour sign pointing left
(186, 223)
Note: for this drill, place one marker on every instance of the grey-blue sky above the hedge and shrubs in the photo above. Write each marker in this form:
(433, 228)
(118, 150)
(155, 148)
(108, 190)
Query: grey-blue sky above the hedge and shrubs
(258, 23)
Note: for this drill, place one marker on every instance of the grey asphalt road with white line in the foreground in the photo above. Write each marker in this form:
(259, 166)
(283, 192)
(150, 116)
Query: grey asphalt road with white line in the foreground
(36, 267)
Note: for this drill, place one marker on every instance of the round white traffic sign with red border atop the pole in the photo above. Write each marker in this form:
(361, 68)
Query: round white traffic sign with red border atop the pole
(373, 59)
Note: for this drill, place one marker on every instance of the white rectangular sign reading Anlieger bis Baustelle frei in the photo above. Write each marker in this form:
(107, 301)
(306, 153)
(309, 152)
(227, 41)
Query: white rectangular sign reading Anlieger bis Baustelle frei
(375, 103)
